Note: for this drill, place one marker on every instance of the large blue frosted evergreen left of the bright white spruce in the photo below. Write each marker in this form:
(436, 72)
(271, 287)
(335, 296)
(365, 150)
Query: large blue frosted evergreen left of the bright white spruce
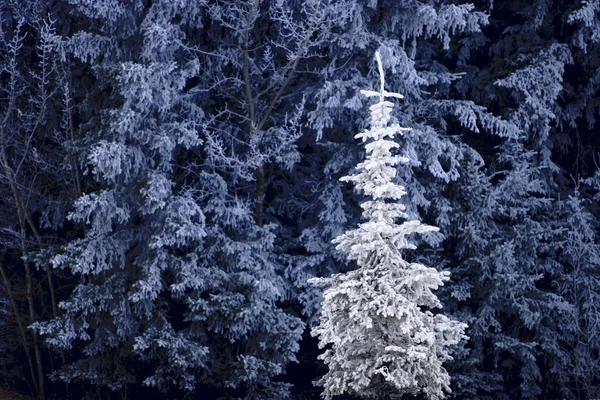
(174, 272)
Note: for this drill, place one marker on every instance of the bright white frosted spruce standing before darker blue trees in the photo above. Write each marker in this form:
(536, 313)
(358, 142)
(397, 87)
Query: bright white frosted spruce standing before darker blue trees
(385, 341)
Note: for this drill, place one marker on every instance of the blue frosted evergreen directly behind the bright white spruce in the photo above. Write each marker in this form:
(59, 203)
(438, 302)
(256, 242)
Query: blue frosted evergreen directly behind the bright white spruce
(334, 108)
